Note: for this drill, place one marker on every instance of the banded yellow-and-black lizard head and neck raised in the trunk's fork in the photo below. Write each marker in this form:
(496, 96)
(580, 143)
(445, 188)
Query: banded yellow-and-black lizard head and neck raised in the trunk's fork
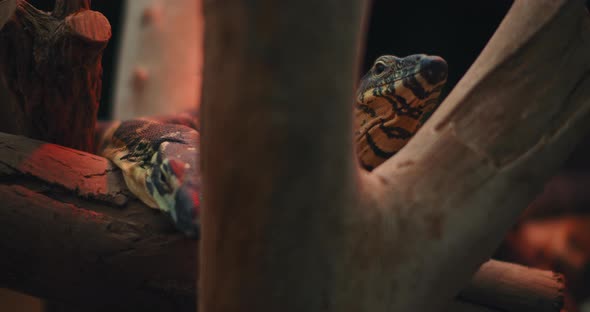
(394, 99)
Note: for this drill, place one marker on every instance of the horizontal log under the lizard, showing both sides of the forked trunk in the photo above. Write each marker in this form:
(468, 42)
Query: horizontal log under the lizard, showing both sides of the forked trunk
(66, 247)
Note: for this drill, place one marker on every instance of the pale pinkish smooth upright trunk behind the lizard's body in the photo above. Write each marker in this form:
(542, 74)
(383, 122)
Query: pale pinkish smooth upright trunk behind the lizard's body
(161, 57)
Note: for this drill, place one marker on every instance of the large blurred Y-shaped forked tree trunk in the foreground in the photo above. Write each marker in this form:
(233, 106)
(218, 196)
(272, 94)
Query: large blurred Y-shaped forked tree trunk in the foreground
(304, 229)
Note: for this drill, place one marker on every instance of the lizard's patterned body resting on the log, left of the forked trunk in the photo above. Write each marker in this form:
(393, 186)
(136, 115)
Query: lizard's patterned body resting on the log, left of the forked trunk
(159, 159)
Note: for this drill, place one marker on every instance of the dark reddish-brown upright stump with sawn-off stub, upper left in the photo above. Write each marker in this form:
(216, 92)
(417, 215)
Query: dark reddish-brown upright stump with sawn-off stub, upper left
(52, 64)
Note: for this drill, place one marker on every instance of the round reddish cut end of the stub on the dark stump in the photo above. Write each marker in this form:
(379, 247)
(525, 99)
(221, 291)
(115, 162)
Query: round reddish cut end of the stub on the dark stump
(90, 25)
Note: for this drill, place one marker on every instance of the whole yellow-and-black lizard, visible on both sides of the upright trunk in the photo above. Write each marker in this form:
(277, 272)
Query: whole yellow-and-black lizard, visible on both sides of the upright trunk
(159, 156)
